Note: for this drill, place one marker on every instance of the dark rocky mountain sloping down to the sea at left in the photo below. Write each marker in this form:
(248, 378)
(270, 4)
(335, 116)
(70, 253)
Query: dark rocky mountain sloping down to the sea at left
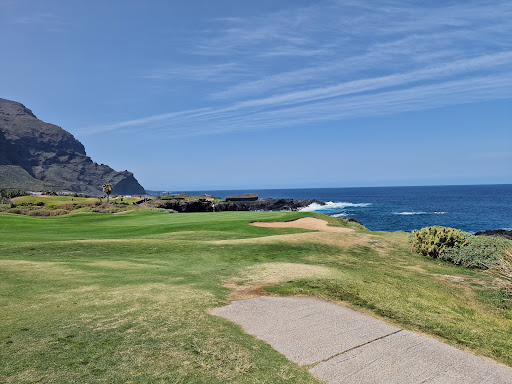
(35, 155)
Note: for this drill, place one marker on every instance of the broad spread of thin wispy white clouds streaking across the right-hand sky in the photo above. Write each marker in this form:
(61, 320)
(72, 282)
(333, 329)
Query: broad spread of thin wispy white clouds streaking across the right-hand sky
(335, 60)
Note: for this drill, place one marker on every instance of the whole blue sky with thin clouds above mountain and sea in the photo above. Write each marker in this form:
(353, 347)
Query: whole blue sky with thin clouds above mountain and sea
(271, 94)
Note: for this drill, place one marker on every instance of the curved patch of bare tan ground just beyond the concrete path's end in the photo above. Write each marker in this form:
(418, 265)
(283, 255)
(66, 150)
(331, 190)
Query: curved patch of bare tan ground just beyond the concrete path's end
(250, 282)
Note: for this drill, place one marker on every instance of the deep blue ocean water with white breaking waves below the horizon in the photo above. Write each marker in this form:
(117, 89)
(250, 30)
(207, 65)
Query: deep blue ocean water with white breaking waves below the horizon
(471, 208)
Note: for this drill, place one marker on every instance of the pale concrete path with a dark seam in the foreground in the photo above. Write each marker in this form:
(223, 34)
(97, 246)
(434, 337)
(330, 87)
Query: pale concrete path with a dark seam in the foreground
(345, 346)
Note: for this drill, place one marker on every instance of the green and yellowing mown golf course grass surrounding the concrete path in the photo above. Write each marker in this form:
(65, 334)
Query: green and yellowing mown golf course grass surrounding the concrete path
(124, 298)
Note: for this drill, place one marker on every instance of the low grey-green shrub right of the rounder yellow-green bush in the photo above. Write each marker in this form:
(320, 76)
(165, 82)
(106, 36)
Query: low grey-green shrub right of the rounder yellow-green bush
(479, 252)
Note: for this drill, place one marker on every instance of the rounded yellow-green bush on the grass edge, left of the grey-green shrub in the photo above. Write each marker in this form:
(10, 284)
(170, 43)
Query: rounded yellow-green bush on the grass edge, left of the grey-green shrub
(433, 241)
